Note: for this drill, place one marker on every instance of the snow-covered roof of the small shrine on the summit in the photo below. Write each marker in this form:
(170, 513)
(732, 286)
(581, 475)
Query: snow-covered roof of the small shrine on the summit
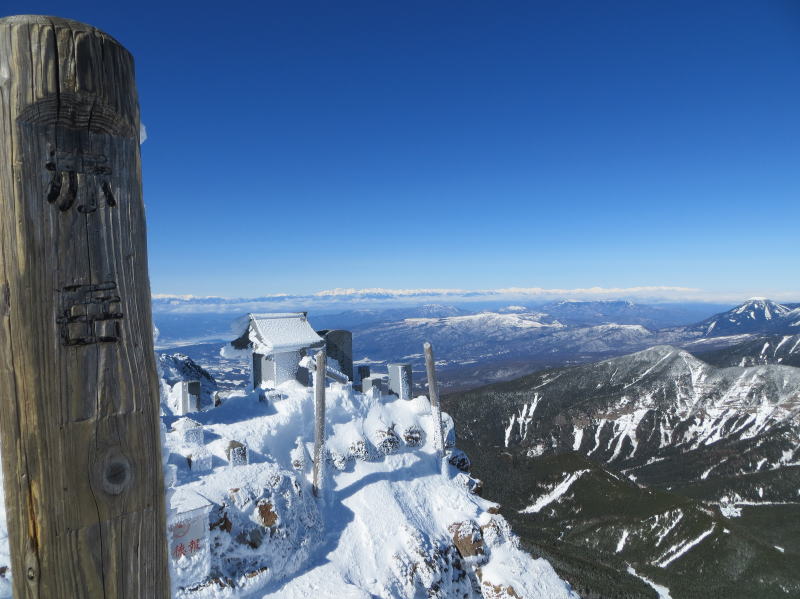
(282, 332)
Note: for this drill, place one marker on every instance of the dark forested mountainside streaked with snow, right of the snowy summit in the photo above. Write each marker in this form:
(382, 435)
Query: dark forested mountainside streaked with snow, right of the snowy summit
(646, 457)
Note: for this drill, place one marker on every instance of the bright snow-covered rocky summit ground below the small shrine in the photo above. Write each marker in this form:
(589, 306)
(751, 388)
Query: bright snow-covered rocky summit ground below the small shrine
(390, 521)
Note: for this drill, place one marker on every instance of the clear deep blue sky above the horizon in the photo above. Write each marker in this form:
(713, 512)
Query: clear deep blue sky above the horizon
(464, 144)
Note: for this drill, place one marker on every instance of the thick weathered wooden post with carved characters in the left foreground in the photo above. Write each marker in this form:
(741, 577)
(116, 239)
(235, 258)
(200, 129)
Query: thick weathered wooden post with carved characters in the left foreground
(79, 404)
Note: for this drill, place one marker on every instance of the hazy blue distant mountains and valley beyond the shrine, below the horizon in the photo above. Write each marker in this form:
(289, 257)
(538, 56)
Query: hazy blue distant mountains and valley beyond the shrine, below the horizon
(474, 348)
